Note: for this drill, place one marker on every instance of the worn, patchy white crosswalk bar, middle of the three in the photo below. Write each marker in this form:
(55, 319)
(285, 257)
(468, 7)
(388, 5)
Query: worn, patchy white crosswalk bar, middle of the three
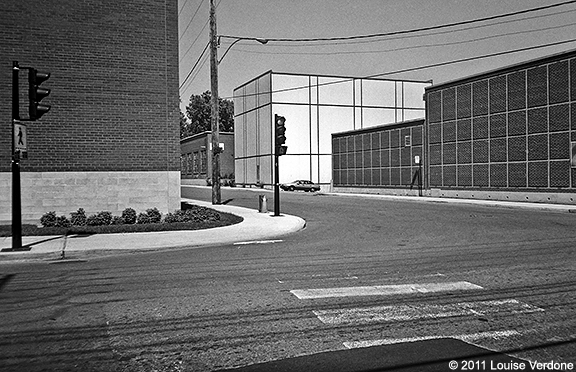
(380, 314)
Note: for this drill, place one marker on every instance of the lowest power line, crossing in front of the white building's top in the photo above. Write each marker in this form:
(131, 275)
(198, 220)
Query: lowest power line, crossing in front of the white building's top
(439, 64)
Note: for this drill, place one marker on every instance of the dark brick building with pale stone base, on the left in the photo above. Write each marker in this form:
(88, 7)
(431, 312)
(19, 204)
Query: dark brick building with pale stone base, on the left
(111, 138)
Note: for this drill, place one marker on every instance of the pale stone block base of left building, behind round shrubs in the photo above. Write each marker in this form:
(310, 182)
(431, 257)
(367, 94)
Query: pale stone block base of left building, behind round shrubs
(65, 192)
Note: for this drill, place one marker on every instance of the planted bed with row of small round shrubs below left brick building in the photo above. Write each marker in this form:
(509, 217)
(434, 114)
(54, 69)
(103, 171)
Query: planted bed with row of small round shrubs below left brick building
(189, 217)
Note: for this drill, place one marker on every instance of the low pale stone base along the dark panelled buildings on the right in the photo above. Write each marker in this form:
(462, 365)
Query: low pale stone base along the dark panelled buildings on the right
(515, 196)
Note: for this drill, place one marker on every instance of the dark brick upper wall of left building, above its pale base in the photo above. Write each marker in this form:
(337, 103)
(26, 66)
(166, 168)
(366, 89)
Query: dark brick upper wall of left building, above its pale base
(114, 83)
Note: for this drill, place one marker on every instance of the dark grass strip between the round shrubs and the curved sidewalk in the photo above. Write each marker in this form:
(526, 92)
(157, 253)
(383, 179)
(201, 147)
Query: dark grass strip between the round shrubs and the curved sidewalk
(225, 219)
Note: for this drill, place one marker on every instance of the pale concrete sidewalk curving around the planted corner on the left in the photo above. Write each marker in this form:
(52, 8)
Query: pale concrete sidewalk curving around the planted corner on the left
(255, 226)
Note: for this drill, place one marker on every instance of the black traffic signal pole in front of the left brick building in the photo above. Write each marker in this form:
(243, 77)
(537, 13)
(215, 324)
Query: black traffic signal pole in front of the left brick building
(16, 196)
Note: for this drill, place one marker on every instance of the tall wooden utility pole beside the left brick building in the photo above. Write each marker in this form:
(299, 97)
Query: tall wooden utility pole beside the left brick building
(216, 195)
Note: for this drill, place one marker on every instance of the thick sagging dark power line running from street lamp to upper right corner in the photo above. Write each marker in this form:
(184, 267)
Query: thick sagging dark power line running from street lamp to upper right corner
(393, 33)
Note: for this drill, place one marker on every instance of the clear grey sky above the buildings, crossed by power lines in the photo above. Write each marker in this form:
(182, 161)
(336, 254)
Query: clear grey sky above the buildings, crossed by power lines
(301, 19)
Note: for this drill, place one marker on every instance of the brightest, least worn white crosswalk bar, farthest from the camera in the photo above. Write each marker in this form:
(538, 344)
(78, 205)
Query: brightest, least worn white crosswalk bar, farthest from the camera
(383, 290)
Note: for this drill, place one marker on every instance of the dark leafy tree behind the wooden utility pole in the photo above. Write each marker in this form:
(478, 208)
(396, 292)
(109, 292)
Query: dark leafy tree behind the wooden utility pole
(198, 112)
